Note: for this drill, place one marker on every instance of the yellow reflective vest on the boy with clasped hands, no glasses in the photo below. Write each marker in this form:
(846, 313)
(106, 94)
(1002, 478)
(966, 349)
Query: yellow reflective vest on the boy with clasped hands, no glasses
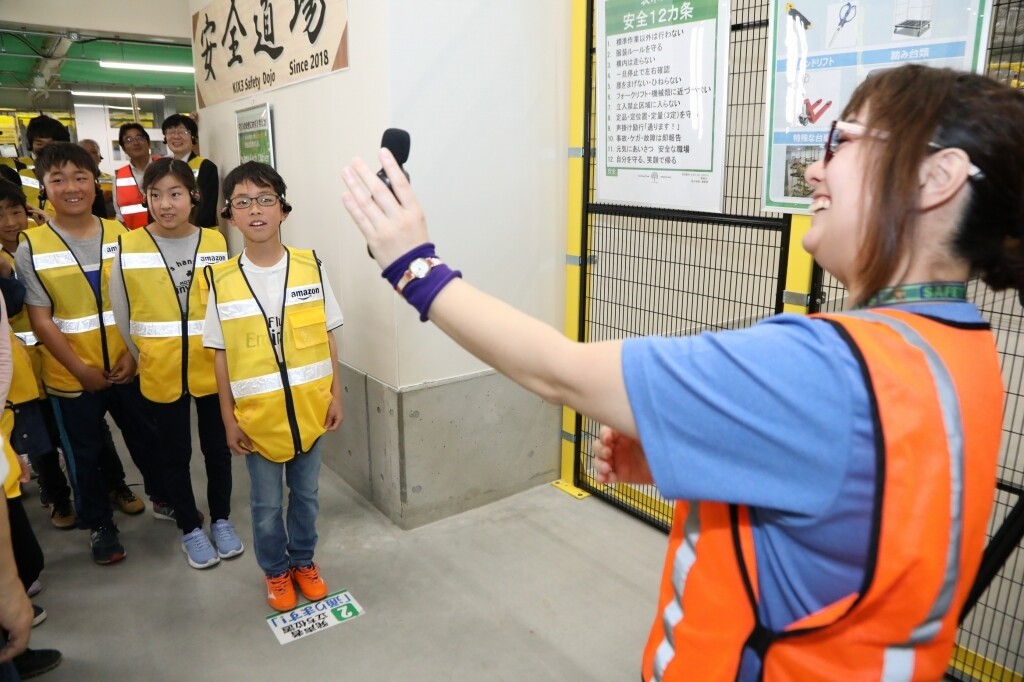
(86, 320)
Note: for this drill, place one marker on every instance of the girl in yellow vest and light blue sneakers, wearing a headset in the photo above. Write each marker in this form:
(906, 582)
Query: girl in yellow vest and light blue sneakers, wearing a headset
(160, 305)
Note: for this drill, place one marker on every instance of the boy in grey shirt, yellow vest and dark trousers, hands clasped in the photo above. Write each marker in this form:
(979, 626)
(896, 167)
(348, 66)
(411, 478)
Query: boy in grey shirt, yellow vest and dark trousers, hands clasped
(87, 368)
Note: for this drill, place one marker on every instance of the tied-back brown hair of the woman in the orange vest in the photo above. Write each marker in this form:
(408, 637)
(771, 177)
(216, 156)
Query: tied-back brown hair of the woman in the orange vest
(922, 110)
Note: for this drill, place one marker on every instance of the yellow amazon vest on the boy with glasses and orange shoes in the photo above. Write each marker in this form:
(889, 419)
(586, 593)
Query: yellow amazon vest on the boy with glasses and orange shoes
(280, 406)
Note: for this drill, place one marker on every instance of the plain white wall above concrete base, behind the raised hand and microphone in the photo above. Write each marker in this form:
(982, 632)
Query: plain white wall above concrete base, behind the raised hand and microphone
(484, 95)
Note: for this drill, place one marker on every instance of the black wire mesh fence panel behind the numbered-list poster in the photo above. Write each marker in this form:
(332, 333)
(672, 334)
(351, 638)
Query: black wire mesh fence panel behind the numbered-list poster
(656, 272)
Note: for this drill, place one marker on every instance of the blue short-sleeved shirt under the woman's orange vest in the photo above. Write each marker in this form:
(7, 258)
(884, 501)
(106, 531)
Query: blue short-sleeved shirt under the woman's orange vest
(776, 417)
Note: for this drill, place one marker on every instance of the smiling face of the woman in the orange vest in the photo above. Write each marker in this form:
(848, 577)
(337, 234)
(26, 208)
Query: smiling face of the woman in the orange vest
(839, 208)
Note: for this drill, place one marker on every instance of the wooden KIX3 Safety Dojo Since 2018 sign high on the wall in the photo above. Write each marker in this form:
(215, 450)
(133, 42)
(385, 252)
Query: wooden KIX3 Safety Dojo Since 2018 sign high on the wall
(244, 48)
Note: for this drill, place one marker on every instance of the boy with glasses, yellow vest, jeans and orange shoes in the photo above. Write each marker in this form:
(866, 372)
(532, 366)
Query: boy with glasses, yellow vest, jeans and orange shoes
(270, 320)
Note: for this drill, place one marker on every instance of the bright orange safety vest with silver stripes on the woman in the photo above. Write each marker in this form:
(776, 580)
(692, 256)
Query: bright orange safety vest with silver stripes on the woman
(935, 389)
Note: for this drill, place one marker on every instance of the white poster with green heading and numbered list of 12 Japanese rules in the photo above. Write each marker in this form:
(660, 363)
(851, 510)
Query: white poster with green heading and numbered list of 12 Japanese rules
(662, 103)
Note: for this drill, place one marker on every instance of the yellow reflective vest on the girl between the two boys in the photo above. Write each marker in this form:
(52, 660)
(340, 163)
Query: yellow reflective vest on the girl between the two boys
(172, 358)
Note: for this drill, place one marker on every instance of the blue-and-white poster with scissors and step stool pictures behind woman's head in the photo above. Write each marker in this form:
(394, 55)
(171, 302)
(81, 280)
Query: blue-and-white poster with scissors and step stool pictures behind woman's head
(823, 51)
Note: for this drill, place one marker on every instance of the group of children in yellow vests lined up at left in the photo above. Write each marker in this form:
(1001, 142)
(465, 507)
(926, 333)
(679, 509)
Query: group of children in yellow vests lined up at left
(143, 324)
